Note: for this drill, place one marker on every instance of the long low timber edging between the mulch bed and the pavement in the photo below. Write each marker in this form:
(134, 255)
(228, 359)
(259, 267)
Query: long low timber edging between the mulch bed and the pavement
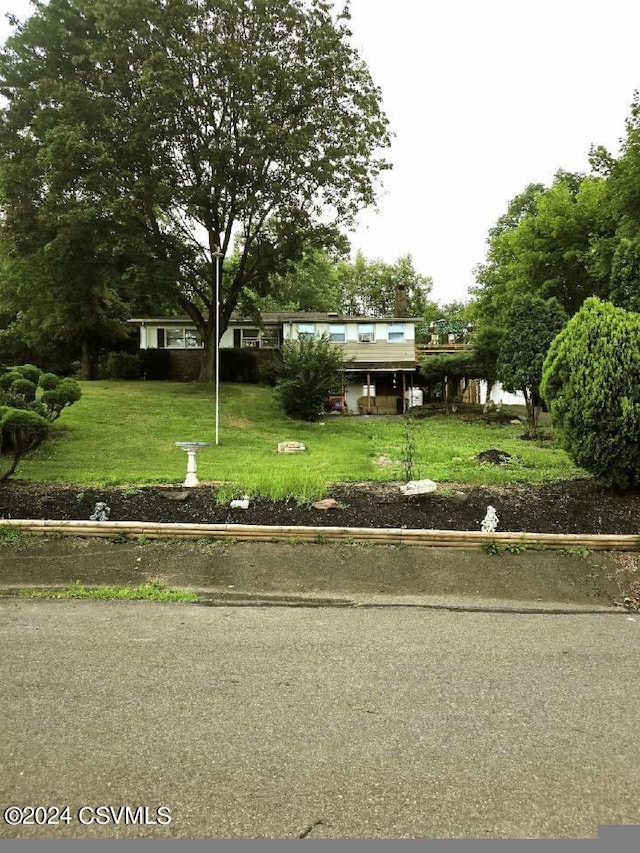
(381, 536)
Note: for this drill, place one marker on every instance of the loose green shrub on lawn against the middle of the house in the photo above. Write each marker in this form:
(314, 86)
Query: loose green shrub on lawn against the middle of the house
(312, 369)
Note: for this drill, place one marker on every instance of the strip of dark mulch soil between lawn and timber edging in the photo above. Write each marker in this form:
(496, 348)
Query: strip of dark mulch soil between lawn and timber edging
(577, 506)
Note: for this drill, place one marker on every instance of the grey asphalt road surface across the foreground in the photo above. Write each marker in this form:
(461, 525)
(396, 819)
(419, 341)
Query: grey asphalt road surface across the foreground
(282, 722)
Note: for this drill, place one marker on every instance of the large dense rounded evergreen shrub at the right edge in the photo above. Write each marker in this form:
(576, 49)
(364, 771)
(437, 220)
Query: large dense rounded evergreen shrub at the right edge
(591, 381)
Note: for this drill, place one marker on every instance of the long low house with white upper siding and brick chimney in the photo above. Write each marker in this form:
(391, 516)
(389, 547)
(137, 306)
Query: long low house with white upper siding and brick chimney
(381, 351)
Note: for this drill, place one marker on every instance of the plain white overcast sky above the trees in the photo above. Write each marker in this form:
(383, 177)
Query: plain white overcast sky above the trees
(484, 97)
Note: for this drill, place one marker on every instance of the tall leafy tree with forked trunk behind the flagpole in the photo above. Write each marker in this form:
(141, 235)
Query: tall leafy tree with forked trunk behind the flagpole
(193, 127)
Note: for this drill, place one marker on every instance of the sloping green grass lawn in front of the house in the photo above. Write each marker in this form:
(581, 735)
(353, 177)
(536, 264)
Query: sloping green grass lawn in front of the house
(123, 433)
